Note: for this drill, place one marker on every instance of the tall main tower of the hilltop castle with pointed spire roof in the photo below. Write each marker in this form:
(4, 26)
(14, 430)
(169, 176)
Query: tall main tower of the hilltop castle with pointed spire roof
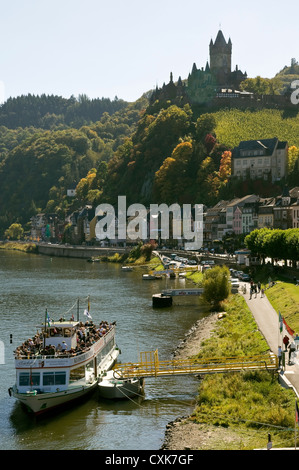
(221, 59)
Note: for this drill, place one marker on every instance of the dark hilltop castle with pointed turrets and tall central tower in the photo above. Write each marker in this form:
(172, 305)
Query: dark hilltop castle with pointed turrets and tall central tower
(217, 85)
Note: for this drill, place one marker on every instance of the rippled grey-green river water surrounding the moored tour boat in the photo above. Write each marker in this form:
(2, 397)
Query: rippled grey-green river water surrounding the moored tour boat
(31, 283)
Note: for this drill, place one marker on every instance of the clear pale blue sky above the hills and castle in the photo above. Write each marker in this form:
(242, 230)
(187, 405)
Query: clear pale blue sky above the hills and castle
(108, 48)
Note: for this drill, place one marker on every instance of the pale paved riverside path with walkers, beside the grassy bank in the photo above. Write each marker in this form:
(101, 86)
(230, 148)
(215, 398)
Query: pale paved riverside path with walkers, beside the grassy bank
(267, 320)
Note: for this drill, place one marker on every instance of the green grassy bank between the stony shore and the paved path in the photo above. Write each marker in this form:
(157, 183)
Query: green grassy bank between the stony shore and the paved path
(245, 405)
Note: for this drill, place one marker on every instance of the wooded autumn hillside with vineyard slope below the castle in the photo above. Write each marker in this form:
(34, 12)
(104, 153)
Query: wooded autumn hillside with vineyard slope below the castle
(159, 153)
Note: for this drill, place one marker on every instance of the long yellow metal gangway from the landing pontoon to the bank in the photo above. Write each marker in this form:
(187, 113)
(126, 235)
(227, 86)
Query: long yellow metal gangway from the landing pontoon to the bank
(151, 366)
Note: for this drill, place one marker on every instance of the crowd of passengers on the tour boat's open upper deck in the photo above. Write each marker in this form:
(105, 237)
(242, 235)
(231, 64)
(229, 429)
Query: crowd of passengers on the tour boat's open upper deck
(87, 335)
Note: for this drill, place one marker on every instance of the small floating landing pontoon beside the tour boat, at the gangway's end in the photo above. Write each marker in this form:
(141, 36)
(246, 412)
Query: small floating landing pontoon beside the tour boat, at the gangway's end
(113, 387)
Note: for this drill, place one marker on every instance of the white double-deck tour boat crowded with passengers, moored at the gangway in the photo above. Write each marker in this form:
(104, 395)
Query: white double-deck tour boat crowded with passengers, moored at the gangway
(62, 363)
